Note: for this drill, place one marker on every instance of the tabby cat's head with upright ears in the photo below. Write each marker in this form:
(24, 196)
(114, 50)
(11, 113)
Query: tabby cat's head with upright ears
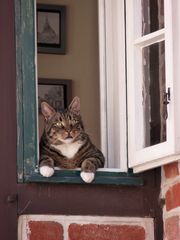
(65, 126)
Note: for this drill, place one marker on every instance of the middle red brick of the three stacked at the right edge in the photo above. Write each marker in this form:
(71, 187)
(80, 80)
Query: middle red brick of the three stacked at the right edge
(173, 197)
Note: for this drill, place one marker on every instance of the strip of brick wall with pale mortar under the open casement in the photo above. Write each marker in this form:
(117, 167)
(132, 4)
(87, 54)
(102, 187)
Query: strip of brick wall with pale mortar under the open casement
(171, 194)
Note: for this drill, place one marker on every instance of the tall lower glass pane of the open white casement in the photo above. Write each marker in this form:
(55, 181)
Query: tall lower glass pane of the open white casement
(153, 109)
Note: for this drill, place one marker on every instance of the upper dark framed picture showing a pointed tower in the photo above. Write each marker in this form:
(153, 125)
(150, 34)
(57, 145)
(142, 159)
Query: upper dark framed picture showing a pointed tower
(51, 28)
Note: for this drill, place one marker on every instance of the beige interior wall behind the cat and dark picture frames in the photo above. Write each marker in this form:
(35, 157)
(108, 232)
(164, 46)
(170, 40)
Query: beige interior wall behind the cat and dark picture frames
(80, 63)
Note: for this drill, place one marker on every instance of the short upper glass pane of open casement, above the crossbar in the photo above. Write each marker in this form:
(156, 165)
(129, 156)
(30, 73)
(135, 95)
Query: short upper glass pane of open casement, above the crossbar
(152, 15)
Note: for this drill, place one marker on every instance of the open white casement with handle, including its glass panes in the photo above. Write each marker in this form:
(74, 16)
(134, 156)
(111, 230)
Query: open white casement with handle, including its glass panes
(151, 83)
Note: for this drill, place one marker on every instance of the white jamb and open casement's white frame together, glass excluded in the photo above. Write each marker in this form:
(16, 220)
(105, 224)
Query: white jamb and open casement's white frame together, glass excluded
(113, 85)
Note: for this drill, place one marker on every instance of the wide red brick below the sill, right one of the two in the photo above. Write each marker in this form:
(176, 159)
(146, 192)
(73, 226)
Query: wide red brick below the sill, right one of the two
(105, 232)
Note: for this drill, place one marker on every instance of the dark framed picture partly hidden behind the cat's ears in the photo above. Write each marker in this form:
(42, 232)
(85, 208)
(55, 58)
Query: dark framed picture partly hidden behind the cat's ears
(56, 92)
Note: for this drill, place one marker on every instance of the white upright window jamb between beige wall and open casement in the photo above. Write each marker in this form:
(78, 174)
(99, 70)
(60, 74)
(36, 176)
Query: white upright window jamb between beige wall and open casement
(112, 82)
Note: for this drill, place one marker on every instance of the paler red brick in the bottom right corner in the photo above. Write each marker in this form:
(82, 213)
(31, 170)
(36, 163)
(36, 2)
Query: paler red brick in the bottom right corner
(172, 231)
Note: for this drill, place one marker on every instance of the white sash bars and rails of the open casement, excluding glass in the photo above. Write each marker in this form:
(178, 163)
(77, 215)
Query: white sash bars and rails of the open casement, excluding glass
(159, 154)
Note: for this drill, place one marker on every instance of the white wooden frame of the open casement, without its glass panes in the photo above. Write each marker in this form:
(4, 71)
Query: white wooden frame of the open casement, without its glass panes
(153, 156)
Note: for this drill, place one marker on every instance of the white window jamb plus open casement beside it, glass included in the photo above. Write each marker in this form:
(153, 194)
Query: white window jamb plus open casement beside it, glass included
(139, 45)
